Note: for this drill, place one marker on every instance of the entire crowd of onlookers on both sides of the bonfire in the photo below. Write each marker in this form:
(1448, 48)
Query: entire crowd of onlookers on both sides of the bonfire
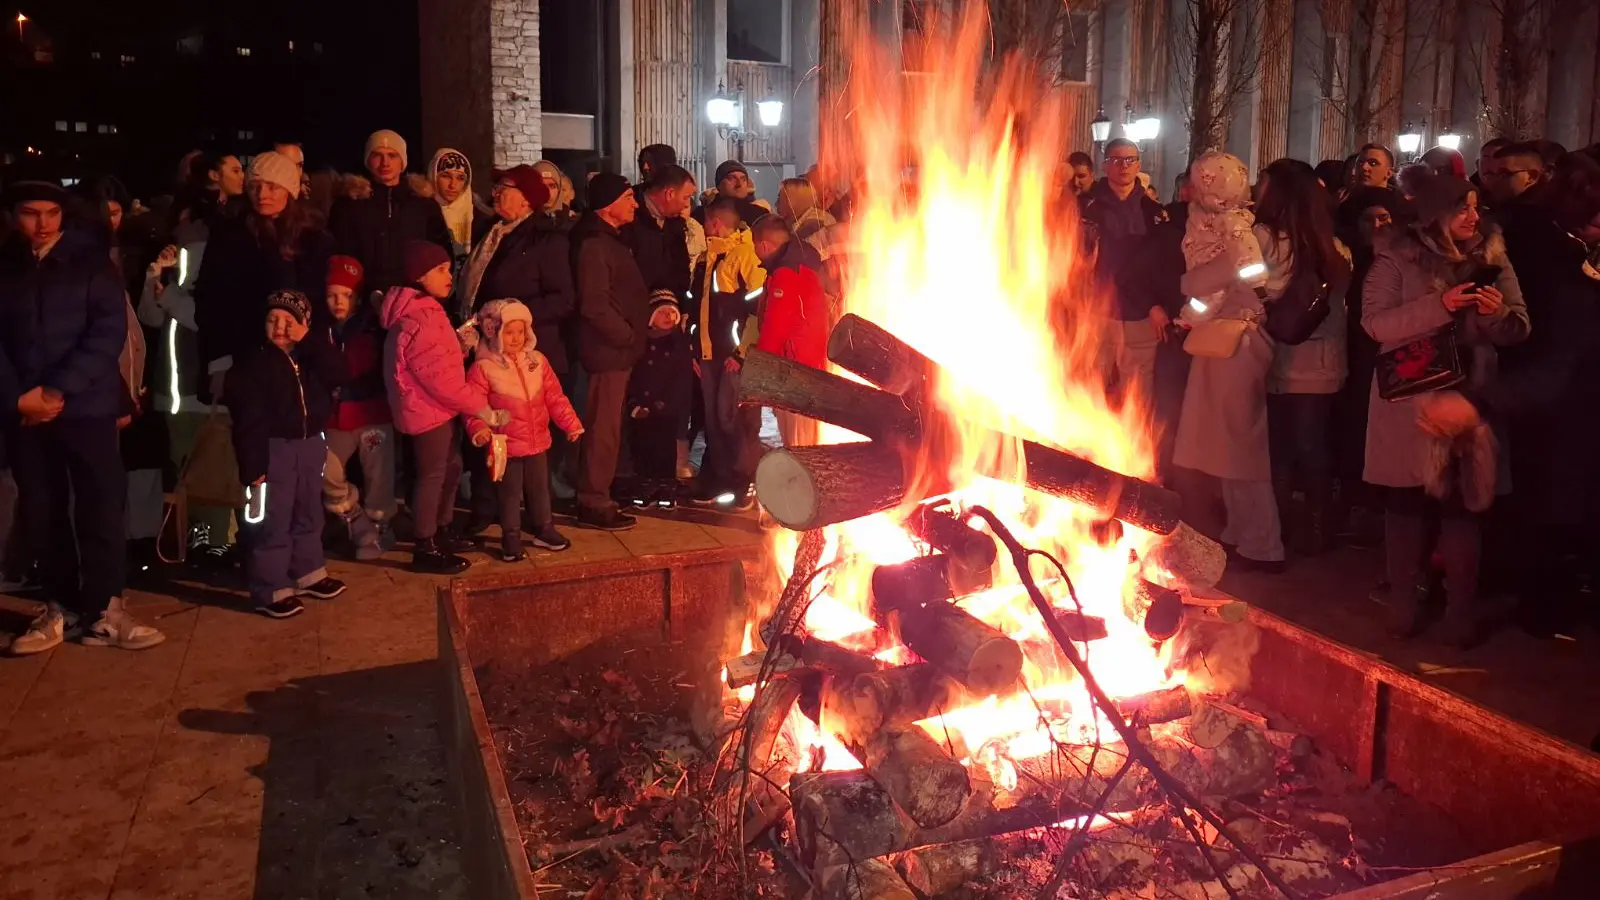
(1350, 352)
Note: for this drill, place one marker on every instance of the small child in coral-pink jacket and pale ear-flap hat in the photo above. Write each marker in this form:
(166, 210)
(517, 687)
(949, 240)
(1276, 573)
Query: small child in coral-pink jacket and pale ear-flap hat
(513, 377)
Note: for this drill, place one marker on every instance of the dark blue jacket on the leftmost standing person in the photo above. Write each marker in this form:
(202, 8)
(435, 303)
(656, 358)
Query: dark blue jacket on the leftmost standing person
(63, 323)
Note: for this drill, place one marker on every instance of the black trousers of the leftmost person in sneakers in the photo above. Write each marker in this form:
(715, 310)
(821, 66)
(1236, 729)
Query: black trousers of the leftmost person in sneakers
(73, 494)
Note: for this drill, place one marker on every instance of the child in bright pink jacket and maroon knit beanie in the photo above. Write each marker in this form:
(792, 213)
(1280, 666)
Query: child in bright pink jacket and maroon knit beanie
(428, 388)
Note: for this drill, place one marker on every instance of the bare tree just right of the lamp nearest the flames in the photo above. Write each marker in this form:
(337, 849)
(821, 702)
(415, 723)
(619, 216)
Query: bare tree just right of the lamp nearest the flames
(1215, 60)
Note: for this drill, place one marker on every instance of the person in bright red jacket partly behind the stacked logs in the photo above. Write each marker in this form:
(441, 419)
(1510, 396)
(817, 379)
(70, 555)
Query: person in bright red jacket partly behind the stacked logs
(794, 311)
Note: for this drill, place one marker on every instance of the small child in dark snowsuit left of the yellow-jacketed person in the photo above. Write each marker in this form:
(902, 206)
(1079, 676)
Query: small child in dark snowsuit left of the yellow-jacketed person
(660, 393)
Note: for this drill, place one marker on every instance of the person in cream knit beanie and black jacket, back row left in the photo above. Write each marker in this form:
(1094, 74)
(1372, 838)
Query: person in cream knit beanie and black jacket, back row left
(375, 230)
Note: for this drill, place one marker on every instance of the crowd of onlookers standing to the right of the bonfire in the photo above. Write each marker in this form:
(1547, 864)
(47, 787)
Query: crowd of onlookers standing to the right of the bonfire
(1374, 353)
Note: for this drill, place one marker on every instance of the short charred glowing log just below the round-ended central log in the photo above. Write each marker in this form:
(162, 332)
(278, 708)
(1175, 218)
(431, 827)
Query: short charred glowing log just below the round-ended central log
(870, 702)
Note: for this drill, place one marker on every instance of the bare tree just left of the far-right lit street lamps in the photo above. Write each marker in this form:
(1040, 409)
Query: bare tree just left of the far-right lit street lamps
(1362, 62)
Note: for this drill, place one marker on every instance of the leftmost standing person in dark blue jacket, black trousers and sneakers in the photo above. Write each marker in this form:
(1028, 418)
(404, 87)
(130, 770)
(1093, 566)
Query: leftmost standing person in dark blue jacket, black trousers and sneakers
(63, 321)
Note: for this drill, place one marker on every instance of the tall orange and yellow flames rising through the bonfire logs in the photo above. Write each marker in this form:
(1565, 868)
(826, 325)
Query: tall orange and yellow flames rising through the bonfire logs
(975, 263)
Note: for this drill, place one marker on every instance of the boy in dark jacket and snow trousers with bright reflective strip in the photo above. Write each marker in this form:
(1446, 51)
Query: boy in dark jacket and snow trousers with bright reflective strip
(281, 396)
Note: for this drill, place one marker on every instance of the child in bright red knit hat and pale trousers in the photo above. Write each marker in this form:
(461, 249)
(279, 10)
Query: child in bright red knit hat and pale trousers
(361, 422)
